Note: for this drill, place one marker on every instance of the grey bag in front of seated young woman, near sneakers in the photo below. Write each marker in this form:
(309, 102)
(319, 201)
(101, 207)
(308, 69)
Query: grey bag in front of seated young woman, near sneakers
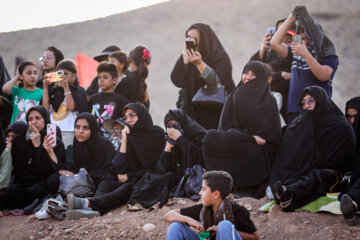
(81, 184)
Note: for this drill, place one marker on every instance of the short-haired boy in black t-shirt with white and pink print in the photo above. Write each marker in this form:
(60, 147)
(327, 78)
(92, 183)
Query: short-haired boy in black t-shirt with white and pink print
(106, 104)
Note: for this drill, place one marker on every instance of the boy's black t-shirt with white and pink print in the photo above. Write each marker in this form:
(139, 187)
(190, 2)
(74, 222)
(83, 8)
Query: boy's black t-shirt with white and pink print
(106, 106)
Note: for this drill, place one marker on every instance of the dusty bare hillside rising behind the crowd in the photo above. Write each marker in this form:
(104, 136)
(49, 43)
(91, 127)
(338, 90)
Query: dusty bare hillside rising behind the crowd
(240, 25)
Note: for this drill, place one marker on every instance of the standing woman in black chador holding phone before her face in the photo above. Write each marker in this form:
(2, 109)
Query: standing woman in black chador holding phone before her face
(206, 63)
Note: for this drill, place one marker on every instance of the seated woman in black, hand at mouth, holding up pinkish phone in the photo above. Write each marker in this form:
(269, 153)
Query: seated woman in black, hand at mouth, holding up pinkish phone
(35, 163)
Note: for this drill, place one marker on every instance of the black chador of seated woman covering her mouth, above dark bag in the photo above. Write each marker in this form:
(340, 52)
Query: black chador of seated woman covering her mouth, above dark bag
(187, 150)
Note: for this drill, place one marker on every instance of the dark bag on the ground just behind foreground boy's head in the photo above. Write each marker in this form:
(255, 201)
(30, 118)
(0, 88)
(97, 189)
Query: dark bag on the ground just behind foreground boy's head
(193, 183)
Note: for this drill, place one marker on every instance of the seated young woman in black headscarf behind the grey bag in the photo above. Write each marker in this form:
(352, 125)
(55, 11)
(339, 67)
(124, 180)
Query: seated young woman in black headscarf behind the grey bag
(92, 151)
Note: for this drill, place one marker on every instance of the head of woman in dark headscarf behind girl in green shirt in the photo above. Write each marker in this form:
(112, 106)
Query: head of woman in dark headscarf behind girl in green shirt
(49, 60)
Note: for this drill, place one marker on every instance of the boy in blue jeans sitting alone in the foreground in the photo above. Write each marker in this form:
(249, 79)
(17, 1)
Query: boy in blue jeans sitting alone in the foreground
(218, 213)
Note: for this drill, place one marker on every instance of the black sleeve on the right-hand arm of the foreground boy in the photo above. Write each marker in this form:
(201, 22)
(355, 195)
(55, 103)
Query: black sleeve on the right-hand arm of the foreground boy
(242, 219)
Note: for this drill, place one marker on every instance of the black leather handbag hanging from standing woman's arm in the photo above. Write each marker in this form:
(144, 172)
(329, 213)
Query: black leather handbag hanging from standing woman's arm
(210, 96)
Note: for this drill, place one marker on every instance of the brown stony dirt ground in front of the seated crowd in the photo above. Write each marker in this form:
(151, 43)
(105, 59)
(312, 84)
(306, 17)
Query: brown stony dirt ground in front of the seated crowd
(121, 224)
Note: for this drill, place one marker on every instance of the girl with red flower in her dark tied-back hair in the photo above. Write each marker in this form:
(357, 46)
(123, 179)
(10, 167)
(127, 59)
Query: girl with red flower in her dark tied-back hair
(133, 86)
